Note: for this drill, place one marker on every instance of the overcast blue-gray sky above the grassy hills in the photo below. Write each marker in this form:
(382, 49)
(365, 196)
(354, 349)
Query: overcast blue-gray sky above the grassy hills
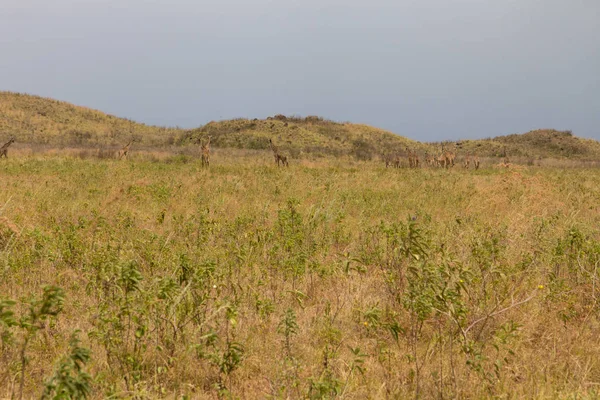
(426, 69)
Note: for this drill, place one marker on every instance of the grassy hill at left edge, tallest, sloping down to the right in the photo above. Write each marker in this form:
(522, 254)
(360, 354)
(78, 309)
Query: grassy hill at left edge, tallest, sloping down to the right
(34, 119)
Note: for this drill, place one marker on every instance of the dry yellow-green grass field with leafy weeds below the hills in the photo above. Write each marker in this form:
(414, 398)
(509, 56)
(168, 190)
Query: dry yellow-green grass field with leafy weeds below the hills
(154, 278)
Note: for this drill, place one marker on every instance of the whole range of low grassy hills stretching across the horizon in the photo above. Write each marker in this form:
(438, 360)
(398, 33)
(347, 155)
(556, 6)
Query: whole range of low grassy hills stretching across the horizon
(37, 120)
